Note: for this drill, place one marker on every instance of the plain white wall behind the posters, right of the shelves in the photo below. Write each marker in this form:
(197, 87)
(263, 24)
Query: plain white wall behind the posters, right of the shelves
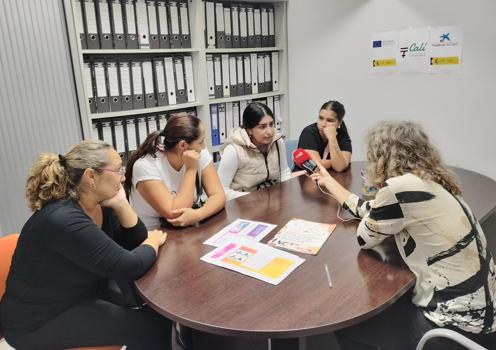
(329, 55)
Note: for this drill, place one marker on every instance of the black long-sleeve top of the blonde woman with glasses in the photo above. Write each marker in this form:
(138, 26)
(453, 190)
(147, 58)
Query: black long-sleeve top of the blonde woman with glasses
(61, 259)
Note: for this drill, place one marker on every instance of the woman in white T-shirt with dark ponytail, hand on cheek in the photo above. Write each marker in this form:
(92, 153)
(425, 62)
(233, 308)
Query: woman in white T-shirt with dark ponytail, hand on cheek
(166, 179)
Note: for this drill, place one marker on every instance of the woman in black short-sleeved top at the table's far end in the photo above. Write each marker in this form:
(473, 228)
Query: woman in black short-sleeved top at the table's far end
(327, 141)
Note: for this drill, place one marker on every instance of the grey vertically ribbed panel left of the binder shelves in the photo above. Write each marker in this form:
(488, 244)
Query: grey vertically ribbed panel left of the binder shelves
(38, 106)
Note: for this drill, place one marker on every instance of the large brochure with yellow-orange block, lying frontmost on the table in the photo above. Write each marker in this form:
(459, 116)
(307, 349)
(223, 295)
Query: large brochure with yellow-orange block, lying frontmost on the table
(254, 259)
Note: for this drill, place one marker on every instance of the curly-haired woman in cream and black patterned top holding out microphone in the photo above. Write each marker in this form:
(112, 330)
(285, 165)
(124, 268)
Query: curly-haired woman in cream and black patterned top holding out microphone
(437, 235)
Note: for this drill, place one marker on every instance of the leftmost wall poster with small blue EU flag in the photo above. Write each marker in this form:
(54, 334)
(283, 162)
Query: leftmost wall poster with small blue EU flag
(384, 47)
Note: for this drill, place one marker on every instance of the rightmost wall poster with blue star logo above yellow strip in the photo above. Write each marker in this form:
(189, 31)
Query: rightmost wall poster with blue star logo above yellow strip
(445, 48)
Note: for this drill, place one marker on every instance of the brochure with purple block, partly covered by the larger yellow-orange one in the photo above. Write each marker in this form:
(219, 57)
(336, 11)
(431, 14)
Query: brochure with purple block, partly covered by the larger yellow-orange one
(254, 230)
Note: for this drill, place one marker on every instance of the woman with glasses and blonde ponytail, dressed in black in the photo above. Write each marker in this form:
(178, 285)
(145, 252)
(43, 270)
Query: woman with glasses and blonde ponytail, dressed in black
(82, 232)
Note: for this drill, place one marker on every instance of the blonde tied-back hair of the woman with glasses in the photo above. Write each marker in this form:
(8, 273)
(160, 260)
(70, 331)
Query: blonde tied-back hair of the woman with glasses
(55, 177)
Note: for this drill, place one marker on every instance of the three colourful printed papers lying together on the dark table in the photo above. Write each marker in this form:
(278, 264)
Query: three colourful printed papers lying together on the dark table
(239, 249)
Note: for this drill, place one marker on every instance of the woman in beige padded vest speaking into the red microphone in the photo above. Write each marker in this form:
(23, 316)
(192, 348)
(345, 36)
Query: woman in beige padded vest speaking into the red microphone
(255, 155)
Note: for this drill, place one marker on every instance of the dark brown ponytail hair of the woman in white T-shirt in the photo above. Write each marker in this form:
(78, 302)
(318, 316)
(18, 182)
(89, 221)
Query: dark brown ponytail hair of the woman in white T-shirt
(181, 126)
